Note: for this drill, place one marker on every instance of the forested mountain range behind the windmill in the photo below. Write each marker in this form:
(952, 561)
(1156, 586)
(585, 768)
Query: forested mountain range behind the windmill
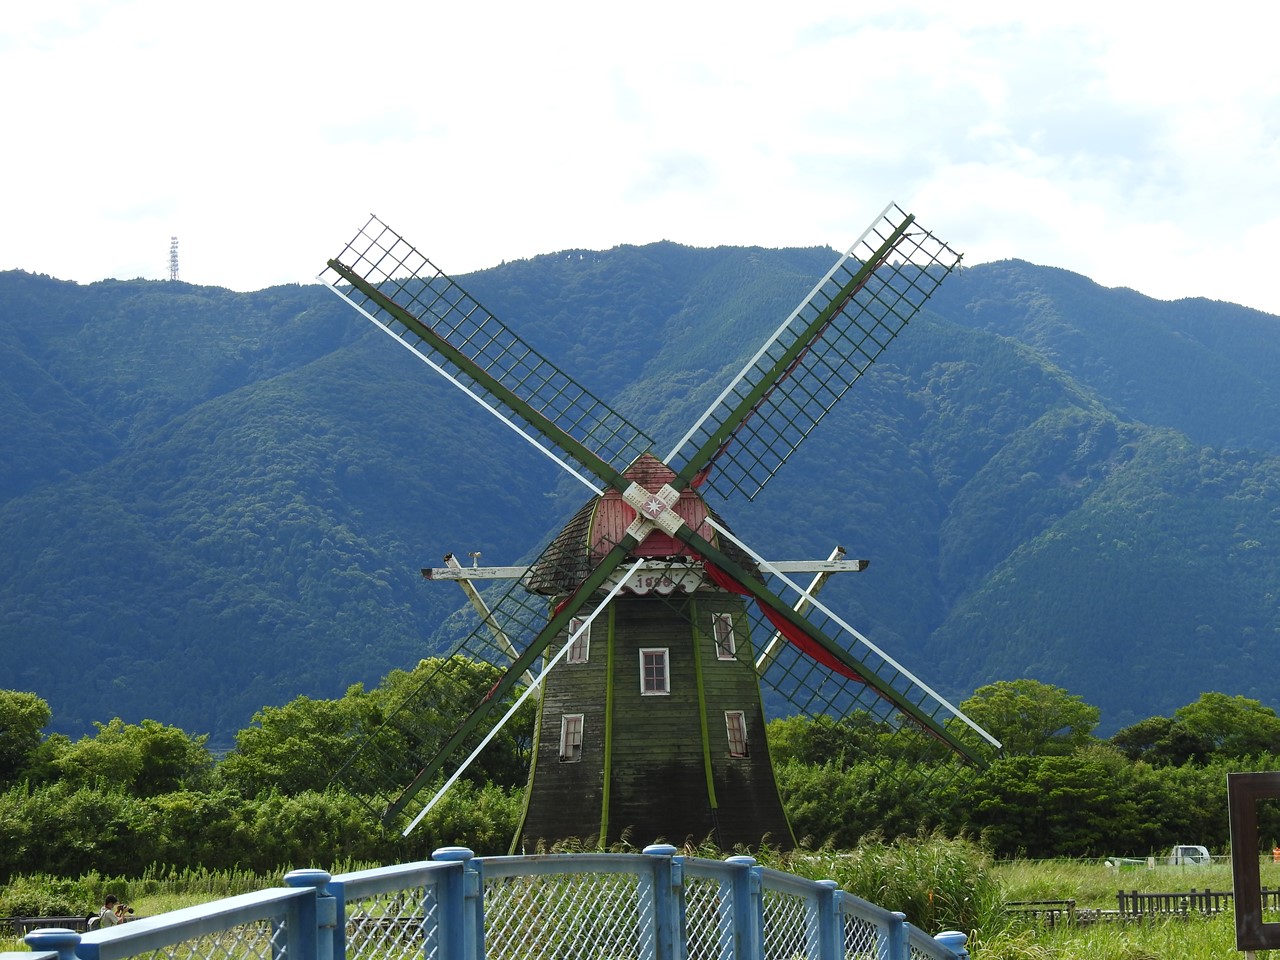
(212, 502)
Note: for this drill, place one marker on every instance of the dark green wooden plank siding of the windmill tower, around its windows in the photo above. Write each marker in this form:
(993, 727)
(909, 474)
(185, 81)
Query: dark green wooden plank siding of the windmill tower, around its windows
(660, 787)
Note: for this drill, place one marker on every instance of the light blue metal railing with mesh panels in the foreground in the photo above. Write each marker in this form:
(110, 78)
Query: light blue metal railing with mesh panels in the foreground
(456, 907)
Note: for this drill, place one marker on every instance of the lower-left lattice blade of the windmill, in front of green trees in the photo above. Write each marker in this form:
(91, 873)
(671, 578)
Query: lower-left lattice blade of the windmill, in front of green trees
(446, 712)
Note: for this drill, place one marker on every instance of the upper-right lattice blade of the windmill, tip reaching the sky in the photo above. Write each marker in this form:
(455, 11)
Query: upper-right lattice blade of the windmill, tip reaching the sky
(811, 362)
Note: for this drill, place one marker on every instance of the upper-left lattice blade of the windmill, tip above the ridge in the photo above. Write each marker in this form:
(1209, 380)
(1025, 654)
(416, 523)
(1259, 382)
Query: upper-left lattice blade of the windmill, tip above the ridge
(414, 301)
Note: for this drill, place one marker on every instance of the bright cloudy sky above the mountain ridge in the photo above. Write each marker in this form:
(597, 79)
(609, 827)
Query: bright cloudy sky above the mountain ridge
(1139, 149)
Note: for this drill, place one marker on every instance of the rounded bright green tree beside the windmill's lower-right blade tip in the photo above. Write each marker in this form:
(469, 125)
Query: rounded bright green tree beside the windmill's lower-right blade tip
(1032, 719)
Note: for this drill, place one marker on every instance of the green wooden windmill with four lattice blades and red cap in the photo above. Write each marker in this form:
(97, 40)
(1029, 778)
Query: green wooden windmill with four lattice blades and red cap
(647, 625)
